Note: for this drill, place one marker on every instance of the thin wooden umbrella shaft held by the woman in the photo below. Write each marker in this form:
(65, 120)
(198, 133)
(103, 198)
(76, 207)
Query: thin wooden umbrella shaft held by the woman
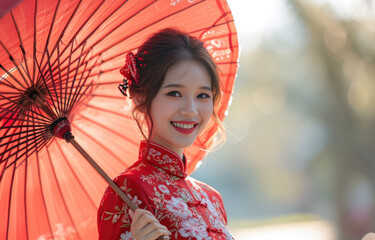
(107, 178)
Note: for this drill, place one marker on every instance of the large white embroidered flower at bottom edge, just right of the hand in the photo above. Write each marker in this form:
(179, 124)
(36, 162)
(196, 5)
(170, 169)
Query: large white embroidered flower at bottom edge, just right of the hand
(193, 228)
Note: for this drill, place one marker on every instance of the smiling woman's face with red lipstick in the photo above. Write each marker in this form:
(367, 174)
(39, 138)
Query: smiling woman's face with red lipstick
(183, 106)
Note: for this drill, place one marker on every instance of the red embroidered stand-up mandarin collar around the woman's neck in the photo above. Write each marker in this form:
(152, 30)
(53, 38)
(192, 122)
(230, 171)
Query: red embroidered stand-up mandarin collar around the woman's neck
(162, 158)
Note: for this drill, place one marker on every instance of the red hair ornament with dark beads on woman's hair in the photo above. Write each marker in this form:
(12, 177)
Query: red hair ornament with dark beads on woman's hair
(130, 73)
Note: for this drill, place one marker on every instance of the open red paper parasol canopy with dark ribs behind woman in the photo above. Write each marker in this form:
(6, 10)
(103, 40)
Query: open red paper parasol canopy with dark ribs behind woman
(61, 59)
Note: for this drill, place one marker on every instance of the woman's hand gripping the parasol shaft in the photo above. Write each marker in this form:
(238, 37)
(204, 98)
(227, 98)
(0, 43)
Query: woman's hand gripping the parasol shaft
(146, 227)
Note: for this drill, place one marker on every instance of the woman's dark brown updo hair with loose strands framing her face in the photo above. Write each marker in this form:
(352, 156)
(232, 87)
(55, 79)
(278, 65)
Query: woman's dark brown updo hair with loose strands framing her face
(162, 50)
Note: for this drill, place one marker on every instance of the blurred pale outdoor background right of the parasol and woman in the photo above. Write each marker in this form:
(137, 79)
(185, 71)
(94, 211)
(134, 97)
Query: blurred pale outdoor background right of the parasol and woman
(299, 158)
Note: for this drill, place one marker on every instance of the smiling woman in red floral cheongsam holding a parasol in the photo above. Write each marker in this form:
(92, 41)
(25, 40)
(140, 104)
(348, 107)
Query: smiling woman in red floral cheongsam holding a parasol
(174, 85)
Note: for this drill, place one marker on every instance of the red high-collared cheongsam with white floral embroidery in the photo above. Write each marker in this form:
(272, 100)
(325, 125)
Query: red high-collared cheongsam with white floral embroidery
(158, 182)
